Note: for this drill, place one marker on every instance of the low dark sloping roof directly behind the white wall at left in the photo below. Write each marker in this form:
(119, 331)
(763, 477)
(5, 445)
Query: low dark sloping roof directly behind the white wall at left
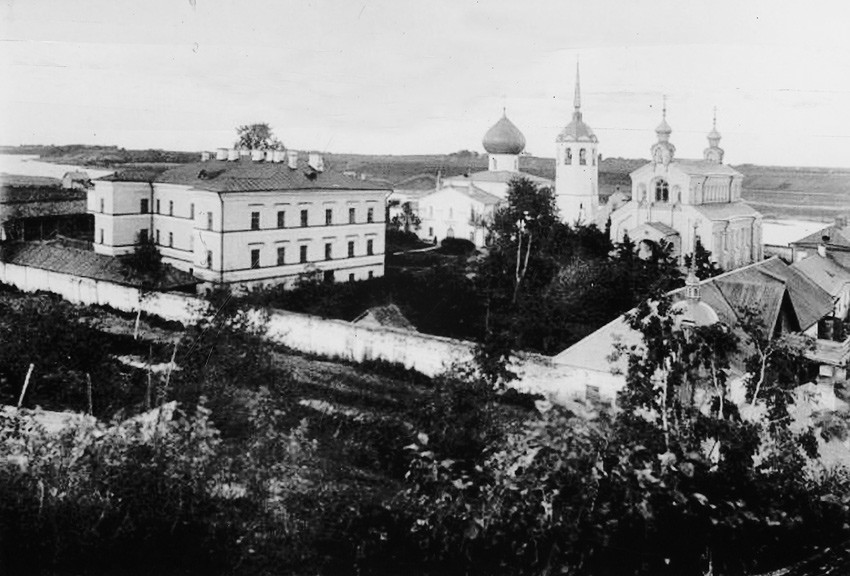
(87, 264)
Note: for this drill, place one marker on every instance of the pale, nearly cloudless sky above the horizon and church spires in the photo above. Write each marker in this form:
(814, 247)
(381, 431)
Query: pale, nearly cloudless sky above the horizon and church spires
(429, 76)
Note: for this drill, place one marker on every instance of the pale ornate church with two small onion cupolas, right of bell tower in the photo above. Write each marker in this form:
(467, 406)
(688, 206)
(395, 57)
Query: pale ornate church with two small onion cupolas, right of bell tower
(684, 201)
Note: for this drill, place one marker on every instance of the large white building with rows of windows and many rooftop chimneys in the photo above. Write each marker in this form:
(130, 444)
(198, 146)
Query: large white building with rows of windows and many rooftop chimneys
(246, 220)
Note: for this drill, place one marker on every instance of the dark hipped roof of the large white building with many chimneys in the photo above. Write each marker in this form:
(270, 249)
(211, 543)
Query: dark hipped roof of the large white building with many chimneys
(245, 175)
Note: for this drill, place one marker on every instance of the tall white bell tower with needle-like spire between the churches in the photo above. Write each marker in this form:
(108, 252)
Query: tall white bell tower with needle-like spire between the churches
(577, 170)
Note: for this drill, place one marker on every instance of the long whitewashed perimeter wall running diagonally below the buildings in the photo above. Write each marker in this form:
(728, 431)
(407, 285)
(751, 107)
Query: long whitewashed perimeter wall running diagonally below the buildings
(428, 354)
